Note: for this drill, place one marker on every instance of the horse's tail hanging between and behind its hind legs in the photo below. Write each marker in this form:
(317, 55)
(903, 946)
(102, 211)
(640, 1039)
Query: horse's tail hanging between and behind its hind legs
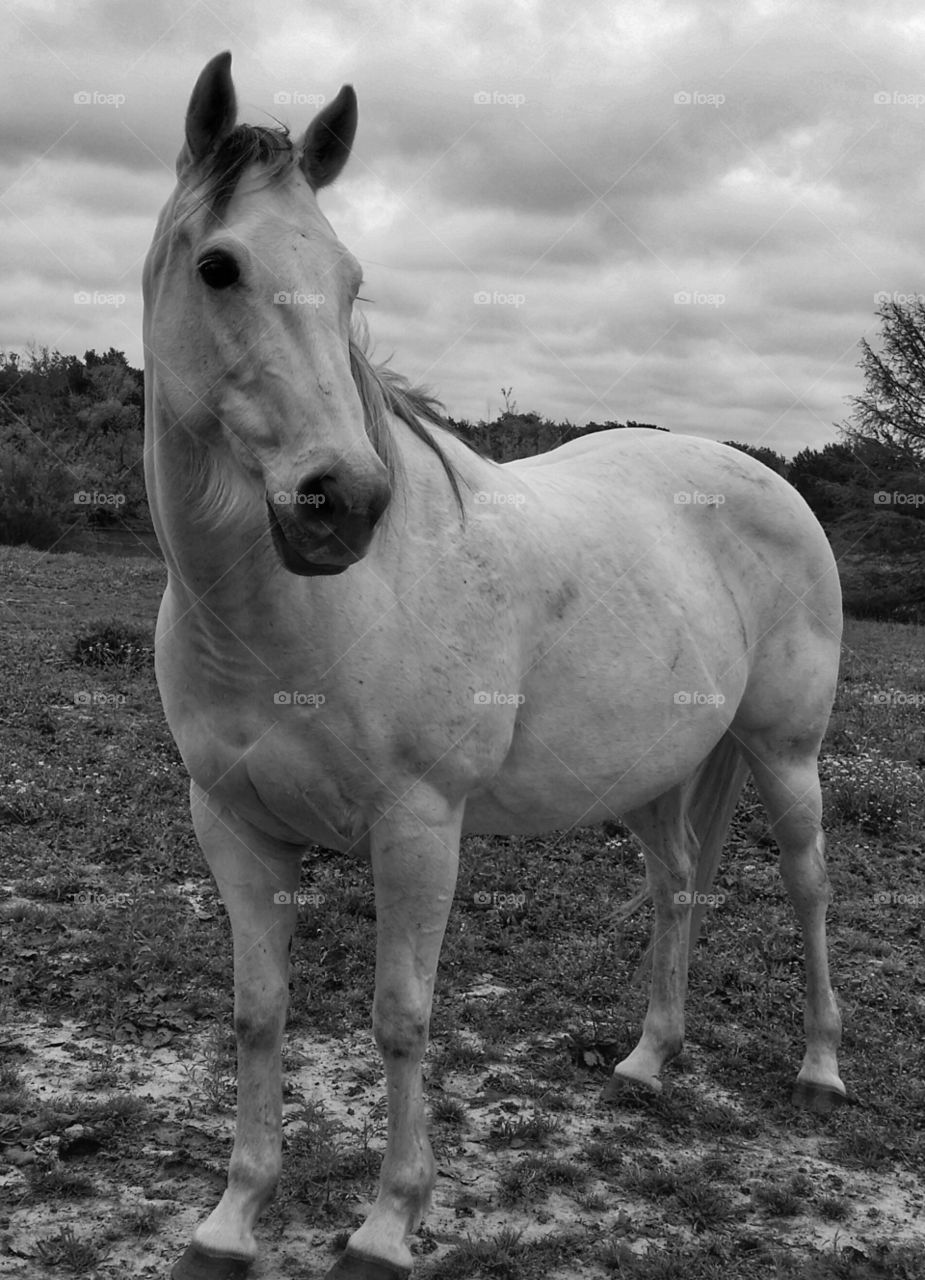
(709, 803)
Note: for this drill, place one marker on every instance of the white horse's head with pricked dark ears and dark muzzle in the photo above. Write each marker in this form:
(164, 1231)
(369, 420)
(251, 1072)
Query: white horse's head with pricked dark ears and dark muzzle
(248, 310)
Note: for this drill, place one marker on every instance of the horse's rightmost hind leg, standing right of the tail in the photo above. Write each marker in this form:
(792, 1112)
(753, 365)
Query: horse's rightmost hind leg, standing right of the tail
(787, 780)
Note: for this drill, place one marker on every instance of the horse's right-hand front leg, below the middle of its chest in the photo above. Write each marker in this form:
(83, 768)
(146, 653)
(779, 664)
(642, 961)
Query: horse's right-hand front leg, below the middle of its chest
(415, 860)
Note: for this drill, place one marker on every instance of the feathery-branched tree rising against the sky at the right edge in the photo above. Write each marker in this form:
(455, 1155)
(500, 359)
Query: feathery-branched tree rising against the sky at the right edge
(892, 409)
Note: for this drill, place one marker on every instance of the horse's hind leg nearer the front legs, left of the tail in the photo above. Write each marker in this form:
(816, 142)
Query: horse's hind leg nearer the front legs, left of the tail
(670, 852)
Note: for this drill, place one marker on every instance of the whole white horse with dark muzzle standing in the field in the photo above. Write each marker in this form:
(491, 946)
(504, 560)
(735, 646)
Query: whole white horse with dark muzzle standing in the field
(626, 627)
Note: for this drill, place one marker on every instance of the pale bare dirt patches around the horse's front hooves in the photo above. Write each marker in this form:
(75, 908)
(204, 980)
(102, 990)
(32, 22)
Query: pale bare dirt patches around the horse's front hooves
(176, 1172)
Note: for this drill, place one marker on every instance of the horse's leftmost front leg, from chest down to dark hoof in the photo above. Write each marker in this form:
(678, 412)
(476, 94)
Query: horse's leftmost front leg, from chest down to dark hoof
(258, 879)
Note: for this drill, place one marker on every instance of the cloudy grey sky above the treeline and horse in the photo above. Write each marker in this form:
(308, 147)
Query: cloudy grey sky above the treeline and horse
(679, 213)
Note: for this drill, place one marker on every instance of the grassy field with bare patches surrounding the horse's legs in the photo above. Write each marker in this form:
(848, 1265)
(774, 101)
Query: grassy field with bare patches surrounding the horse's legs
(117, 1064)
